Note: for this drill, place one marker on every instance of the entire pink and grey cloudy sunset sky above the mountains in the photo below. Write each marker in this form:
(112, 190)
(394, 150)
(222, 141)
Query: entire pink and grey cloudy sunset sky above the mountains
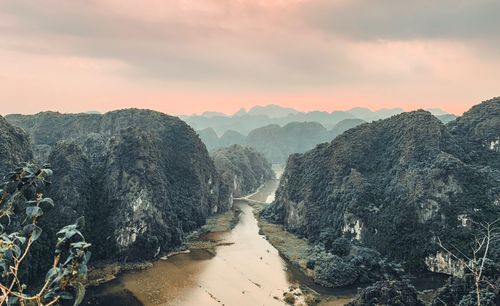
(187, 56)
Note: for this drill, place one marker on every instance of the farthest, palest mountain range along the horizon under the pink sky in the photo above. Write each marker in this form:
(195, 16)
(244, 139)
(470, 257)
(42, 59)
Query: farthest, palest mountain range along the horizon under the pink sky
(245, 121)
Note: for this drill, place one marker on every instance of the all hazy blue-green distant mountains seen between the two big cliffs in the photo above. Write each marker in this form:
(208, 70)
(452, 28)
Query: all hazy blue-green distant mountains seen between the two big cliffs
(278, 132)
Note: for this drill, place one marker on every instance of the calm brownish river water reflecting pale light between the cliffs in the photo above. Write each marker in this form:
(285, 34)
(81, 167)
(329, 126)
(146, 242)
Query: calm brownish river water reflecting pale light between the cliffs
(248, 272)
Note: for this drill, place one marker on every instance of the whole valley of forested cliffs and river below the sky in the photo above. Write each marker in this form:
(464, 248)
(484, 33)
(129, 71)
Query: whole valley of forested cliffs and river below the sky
(361, 218)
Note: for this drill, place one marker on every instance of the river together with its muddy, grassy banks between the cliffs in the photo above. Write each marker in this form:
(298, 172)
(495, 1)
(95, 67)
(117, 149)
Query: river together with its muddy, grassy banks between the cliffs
(227, 266)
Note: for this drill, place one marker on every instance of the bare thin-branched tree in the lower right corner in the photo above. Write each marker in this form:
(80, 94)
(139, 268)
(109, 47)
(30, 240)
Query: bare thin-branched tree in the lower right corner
(475, 262)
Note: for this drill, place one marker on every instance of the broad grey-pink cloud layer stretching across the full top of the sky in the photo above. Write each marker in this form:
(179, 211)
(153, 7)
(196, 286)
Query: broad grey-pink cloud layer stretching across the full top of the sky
(268, 45)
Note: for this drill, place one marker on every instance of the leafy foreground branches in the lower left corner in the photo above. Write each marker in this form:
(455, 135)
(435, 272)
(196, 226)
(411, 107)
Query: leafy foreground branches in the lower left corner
(21, 199)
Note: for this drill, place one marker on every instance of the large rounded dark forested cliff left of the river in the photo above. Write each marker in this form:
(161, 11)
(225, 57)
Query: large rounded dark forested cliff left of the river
(142, 179)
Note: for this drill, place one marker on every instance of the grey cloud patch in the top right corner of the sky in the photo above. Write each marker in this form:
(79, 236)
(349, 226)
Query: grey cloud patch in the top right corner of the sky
(406, 20)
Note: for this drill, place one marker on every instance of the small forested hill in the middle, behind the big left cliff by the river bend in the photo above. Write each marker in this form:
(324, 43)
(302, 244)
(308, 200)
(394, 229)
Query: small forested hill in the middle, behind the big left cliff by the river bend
(242, 168)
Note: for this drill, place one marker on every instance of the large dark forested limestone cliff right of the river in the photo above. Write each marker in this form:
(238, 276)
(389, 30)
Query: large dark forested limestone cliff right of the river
(395, 184)
